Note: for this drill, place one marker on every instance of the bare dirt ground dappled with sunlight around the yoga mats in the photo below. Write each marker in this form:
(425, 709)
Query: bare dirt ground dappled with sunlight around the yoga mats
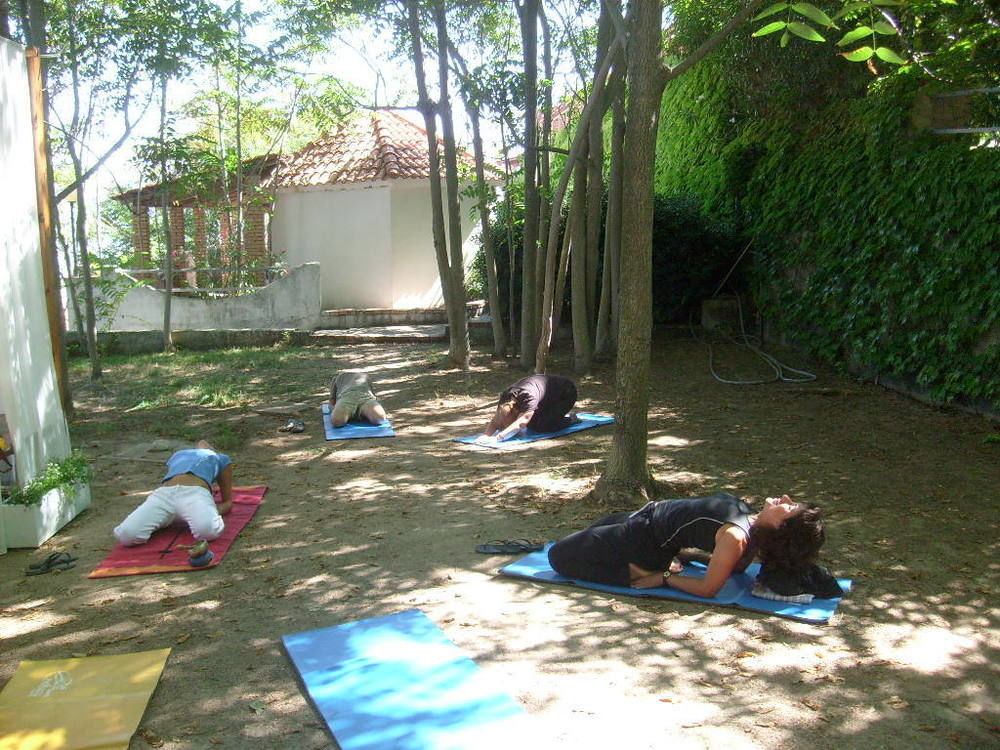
(355, 529)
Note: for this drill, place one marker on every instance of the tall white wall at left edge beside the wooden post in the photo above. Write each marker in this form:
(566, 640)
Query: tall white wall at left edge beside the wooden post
(28, 391)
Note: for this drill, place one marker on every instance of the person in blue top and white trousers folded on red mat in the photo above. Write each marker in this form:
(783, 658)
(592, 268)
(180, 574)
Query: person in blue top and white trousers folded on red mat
(185, 493)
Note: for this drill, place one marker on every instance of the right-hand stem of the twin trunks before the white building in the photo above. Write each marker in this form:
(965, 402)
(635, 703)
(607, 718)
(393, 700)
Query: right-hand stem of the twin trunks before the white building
(458, 339)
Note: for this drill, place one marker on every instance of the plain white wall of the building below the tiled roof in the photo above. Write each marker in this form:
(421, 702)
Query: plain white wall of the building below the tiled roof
(374, 242)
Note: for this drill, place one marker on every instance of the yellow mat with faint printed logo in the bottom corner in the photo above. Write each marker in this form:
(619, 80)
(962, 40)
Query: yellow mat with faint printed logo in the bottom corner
(87, 703)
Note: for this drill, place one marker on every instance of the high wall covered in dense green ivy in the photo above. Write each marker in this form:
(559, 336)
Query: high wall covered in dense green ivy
(876, 244)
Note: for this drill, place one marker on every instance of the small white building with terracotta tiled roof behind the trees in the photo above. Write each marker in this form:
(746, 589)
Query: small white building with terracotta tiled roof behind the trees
(359, 203)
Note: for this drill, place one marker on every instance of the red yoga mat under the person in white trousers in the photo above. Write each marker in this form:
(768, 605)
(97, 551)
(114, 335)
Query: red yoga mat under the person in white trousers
(162, 553)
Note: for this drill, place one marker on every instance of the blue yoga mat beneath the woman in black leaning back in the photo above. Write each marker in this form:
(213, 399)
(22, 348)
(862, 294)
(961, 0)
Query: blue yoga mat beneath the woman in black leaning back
(735, 592)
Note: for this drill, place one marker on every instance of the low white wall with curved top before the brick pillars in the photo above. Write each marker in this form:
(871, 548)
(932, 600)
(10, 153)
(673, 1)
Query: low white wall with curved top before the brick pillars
(292, 301)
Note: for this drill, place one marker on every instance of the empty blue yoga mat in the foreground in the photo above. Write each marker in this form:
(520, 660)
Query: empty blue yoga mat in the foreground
(397, 682)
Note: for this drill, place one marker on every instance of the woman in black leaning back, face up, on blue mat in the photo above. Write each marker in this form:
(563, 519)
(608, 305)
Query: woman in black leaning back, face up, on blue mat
(643, 549)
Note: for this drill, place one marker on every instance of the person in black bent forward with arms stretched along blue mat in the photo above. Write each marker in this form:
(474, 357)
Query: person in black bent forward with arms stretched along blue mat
(540, 402)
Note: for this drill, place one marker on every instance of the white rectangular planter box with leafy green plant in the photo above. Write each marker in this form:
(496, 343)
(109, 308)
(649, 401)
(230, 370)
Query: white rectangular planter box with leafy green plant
(34, 512)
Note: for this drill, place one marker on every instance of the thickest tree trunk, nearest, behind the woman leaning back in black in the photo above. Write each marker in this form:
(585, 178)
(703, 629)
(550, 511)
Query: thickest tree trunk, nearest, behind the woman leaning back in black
(626, 474)
